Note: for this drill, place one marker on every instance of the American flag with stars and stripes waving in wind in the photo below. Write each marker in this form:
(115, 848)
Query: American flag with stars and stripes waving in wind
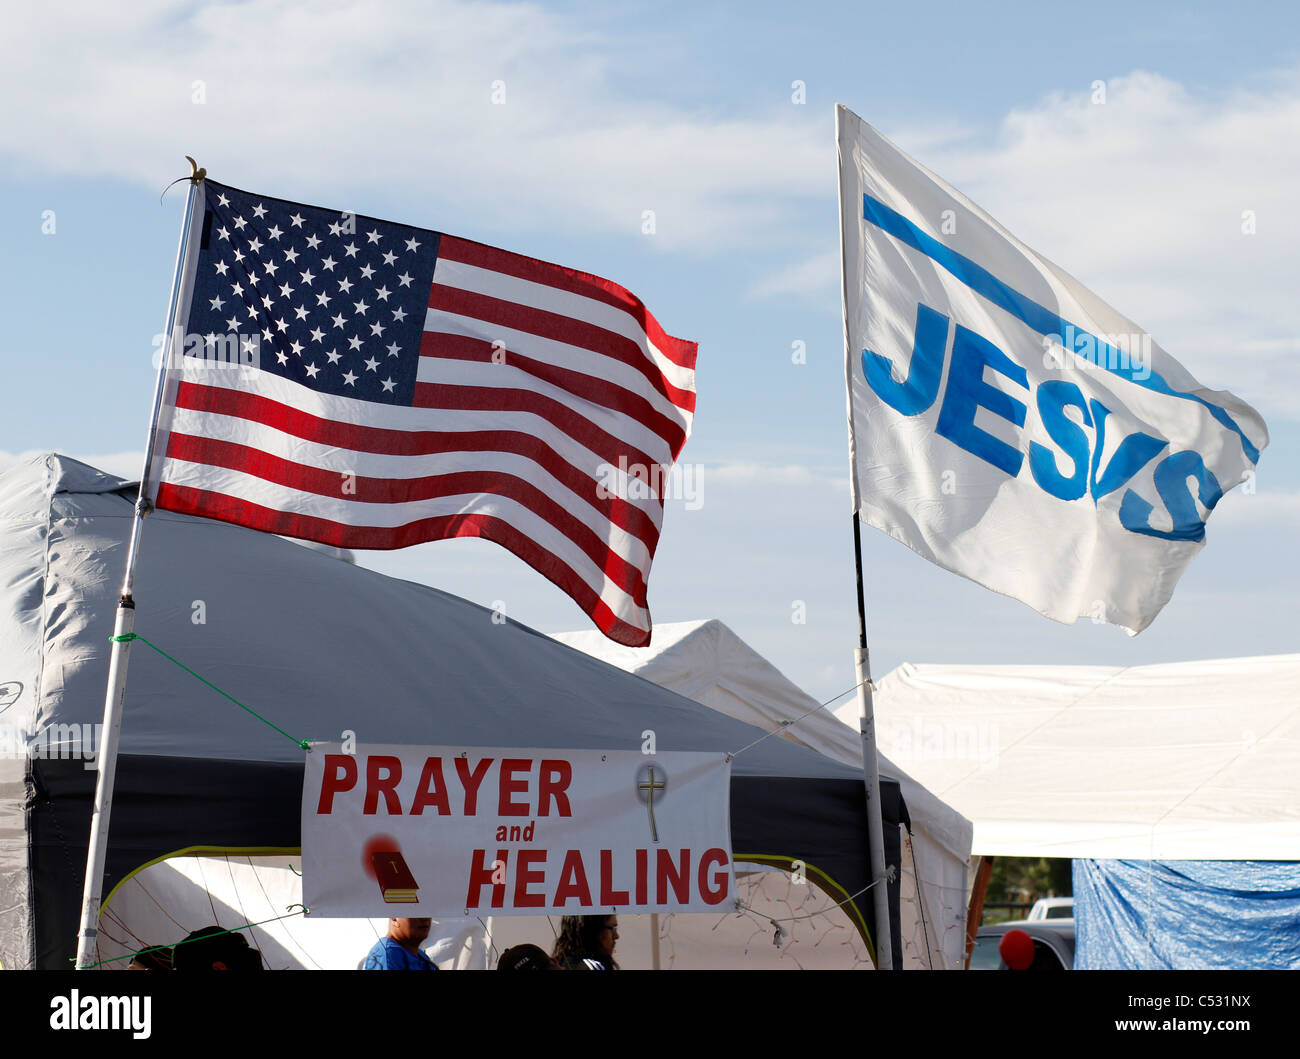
(371, 385)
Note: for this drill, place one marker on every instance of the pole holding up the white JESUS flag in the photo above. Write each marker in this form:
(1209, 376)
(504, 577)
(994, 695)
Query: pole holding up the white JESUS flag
(863, 667)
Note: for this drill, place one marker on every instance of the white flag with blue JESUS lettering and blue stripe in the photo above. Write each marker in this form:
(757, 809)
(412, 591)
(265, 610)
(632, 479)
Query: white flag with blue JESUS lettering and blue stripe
(1004, 422)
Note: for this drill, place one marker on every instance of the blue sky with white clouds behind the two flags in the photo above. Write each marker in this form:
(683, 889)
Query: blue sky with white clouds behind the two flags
(687, 110)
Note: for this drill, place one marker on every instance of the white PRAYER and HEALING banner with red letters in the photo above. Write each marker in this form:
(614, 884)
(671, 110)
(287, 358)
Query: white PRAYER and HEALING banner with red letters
(401, 831)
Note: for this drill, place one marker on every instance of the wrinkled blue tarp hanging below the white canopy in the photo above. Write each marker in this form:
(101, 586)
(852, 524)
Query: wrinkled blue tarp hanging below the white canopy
(1186, 915)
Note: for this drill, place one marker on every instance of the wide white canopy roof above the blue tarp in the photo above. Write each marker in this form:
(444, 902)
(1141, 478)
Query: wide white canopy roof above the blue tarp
(1190, 761)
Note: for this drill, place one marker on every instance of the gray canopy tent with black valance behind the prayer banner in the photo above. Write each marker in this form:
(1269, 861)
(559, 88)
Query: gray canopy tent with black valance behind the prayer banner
(319, 648)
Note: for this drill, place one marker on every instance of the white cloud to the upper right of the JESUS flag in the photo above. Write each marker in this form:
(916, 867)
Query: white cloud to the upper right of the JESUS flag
(1145, 199)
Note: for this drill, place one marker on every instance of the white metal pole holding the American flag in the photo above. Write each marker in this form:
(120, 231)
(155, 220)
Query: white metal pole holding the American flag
(97, 852)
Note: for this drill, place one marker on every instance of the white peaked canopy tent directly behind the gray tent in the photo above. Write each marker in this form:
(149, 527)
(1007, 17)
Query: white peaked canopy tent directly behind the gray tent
(707, 662)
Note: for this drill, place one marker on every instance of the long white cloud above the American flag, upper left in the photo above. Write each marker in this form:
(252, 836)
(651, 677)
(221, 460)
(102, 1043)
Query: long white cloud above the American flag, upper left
(371, 96)
